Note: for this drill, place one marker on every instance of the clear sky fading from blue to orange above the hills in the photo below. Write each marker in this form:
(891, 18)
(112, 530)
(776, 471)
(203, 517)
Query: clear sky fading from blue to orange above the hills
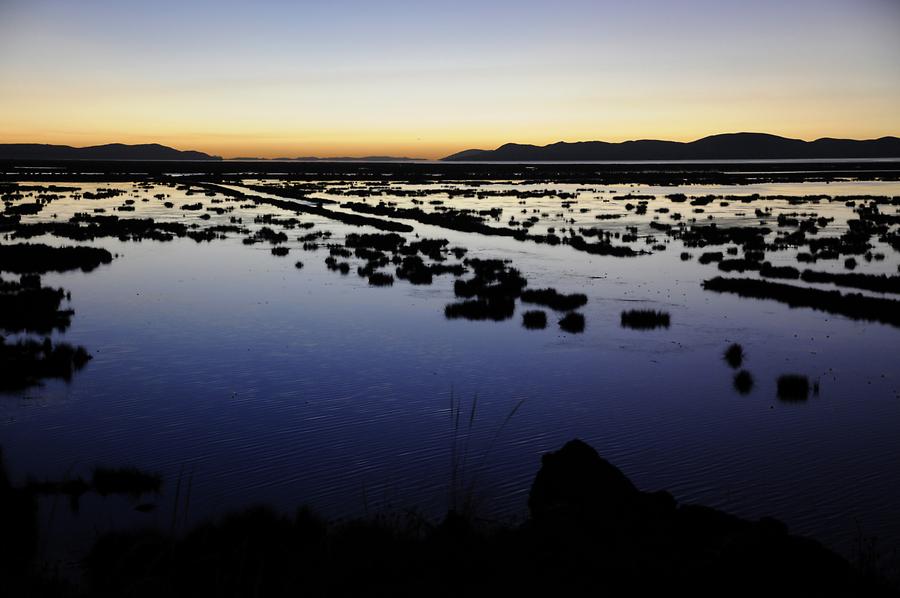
(424, 79)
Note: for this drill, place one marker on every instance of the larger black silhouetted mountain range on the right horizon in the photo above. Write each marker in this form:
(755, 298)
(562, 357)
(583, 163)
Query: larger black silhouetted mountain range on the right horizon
(730, 146)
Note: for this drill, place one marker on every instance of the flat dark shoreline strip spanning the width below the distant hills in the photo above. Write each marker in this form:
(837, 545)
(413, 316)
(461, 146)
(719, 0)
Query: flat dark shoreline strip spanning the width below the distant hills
(430, 172)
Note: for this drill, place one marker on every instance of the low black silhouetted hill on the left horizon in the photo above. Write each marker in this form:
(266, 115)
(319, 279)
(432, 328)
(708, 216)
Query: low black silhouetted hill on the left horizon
(110, 151)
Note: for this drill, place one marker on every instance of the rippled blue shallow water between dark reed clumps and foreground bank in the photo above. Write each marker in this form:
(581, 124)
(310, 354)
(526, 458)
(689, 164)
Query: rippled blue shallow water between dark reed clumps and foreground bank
(221, 364)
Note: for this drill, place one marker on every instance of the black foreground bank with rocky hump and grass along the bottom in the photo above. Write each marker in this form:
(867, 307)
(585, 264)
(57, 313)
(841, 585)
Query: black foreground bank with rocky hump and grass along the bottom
(590, 532)
